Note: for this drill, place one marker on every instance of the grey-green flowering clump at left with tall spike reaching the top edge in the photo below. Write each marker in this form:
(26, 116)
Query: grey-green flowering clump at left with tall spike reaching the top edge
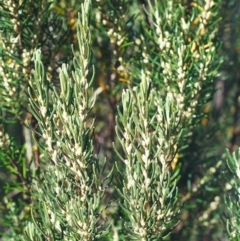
(72, 182)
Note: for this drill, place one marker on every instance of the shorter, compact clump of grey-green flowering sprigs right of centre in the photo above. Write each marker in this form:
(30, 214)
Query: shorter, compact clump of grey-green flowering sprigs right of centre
(149, 132)
